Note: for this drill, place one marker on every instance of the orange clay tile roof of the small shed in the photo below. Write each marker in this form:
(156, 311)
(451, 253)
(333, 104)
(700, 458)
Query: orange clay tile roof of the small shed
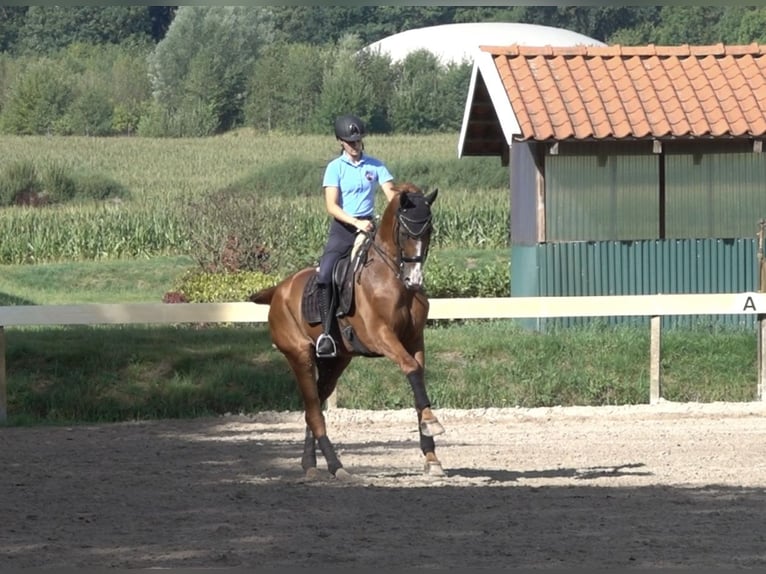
(588, 92)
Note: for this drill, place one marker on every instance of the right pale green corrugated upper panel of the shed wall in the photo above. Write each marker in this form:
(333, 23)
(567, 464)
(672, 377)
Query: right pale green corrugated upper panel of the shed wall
(714, 194)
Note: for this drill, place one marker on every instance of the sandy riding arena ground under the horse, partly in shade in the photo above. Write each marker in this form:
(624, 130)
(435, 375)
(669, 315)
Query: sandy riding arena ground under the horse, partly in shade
(667, 486)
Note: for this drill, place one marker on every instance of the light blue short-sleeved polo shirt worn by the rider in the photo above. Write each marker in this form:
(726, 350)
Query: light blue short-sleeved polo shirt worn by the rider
(356, 182)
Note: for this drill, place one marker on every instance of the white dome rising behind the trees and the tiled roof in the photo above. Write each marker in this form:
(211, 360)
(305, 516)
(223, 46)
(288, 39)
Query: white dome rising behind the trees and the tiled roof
(457, 43)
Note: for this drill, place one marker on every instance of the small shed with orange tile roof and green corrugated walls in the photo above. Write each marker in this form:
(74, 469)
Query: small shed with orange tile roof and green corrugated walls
(633, 170)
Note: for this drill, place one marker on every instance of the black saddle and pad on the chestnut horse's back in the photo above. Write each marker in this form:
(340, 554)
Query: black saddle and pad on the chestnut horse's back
(342, 288)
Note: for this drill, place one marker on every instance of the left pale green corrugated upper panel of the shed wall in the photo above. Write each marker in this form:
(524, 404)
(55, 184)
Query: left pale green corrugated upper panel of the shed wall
(601, 197)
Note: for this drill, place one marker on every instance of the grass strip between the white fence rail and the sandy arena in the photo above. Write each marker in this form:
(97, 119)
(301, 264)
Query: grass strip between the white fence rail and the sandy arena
(78, 374)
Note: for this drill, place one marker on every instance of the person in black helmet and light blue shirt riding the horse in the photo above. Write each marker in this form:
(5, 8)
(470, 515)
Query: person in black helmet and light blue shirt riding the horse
(349, 188)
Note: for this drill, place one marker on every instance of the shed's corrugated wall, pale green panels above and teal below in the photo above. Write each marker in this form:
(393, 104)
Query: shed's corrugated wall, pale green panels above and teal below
(607, 204)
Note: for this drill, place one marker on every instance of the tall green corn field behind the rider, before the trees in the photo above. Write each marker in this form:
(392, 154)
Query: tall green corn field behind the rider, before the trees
(176, 186)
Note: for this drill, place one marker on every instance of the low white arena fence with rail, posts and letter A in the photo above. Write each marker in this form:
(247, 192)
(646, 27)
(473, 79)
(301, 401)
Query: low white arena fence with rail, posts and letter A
(653, 306)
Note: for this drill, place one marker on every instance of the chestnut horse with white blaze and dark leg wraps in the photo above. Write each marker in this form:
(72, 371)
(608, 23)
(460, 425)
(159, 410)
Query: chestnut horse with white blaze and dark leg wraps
(385, 317)
